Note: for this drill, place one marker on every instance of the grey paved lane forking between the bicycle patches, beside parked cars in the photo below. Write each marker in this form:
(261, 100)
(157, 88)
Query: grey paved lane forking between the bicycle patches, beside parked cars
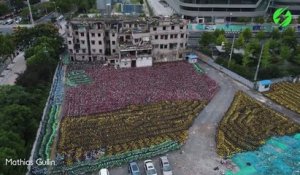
(198, 156)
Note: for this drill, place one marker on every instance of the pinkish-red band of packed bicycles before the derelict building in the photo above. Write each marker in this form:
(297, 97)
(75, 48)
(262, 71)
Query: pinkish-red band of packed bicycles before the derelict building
(115, 89)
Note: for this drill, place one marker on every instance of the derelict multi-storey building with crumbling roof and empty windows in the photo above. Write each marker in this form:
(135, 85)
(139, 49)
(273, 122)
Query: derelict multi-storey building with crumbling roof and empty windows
(127, 41)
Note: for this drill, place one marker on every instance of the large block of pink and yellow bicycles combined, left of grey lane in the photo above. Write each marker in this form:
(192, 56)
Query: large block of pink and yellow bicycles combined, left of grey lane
(176, 90)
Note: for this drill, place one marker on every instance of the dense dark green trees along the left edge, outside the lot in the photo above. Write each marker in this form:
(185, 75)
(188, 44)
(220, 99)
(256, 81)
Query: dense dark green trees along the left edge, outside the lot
(21, 105)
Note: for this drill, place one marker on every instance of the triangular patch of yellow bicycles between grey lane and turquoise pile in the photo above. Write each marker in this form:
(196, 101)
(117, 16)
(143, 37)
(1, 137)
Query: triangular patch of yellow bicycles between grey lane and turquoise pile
(248, 124)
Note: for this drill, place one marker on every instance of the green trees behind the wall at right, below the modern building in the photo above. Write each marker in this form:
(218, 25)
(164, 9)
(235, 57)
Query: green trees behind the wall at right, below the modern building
(280, 54)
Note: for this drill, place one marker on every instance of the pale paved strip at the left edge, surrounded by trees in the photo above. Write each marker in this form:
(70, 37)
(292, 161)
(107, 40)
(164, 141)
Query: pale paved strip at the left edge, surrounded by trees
(11, 74)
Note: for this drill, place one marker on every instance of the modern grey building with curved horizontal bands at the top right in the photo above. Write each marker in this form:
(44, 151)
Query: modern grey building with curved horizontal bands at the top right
(231, 8)
